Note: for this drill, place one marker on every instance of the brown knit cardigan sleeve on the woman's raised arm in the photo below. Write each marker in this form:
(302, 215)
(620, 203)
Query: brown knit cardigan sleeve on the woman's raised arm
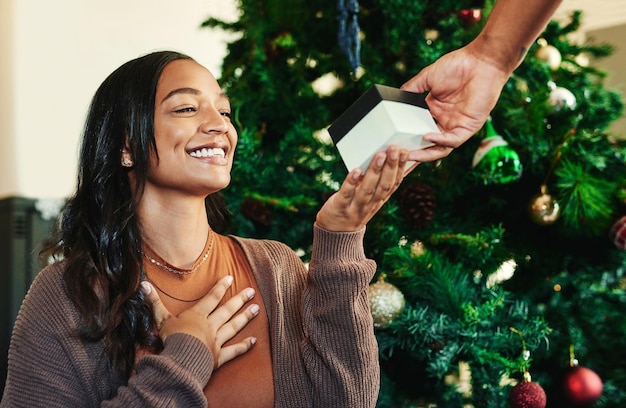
(340, 349)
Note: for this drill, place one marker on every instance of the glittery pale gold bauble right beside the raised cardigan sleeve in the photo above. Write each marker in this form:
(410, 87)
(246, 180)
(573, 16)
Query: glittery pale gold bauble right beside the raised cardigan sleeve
(386, 302)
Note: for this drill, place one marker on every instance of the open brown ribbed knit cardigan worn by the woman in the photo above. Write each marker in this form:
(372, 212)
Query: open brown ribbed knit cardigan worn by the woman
(324, 352)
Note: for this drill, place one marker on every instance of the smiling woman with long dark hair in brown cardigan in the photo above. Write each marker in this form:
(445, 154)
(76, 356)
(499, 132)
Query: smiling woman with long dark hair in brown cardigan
(151, 305)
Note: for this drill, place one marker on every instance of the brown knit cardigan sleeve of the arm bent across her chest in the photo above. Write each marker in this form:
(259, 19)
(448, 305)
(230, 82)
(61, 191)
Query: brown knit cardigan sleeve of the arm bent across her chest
(49, 366)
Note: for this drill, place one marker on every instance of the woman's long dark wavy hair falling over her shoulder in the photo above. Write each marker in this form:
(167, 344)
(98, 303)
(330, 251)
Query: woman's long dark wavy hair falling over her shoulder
(99, 236)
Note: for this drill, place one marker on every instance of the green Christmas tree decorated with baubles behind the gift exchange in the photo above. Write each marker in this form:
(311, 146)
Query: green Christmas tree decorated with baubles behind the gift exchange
(501, 267)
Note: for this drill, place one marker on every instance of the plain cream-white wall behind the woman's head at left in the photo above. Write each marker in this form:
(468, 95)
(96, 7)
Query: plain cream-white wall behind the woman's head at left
(54, 56)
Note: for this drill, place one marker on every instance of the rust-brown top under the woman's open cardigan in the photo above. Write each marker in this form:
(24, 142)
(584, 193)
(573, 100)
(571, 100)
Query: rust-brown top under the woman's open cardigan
(246, 381)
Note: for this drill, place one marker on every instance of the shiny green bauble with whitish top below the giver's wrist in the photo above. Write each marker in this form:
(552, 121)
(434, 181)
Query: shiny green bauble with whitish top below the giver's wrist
(494, 161)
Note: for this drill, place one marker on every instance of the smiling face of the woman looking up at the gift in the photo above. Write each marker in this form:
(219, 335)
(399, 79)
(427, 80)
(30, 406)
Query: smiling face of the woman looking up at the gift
(194, 135)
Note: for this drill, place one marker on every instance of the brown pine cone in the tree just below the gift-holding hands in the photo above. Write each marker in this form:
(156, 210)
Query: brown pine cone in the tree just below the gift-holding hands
(417, 203)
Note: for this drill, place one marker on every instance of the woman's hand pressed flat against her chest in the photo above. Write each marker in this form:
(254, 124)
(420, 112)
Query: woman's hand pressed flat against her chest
(205, 320)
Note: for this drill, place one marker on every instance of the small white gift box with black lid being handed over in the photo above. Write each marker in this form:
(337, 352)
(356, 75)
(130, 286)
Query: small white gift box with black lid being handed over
(381, 117)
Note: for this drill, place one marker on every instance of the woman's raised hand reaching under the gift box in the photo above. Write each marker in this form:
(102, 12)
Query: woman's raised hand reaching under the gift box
(362, 195)
